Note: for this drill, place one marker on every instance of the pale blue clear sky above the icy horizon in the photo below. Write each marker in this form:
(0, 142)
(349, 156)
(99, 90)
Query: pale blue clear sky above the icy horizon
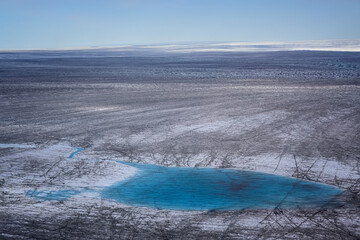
(29, 24)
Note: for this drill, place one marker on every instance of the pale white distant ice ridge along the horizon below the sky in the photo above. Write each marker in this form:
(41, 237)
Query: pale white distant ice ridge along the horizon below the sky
(348, 45)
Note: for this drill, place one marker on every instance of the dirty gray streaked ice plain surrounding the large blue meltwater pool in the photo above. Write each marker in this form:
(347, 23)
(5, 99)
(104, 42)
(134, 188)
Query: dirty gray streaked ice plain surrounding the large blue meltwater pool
(70, 119)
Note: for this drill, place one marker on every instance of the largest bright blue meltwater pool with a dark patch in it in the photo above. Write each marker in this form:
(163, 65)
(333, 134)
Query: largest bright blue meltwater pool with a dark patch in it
(217, 189)
